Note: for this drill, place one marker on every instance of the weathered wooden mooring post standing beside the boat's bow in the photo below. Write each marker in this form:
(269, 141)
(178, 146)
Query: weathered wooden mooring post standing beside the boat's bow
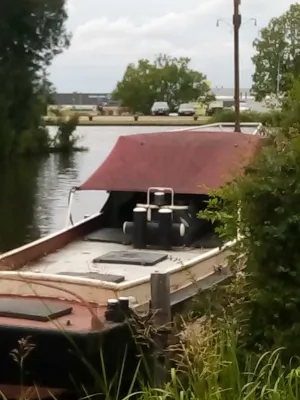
(161, 309)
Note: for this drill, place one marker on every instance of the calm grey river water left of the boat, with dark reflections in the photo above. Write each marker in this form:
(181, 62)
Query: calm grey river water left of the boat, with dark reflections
(34, 193)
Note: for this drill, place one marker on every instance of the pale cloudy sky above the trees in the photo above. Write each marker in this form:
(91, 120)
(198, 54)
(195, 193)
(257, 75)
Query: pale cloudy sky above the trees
(108, 34)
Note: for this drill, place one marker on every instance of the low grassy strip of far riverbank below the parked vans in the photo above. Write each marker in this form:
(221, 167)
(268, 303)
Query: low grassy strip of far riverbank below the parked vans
(129, 121)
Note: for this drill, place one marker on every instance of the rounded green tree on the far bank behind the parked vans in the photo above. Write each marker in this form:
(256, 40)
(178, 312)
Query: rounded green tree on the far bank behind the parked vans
(166, 79)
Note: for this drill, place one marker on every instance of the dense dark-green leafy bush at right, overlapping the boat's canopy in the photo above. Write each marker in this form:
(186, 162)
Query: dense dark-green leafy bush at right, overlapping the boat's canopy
(269, 224)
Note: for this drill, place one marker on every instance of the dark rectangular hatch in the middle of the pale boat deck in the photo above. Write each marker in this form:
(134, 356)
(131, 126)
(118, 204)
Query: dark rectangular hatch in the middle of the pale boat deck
(147, 259)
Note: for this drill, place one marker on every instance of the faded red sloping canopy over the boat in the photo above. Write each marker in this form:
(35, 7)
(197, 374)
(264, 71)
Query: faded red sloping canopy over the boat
(190, 162)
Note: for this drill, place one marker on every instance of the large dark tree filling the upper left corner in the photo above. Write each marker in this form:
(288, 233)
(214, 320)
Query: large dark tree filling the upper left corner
(32, 33)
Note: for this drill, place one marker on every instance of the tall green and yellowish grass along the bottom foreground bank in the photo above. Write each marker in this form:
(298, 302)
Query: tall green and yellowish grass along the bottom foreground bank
(206, 366)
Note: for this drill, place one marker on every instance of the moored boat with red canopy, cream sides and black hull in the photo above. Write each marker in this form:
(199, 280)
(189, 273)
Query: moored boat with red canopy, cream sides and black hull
(66, 290)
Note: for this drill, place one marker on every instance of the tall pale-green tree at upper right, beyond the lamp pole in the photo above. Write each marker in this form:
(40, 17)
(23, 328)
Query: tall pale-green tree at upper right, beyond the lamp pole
(277, 58)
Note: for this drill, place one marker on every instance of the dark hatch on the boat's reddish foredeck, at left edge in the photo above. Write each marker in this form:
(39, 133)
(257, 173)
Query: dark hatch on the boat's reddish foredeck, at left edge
(33, 309)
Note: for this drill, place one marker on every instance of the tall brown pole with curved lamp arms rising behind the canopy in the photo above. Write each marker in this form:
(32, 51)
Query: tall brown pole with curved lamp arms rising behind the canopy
(237, 20)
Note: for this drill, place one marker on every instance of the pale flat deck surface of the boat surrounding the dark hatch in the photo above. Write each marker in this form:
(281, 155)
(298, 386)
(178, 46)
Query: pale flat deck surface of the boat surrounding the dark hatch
(77, 259)
